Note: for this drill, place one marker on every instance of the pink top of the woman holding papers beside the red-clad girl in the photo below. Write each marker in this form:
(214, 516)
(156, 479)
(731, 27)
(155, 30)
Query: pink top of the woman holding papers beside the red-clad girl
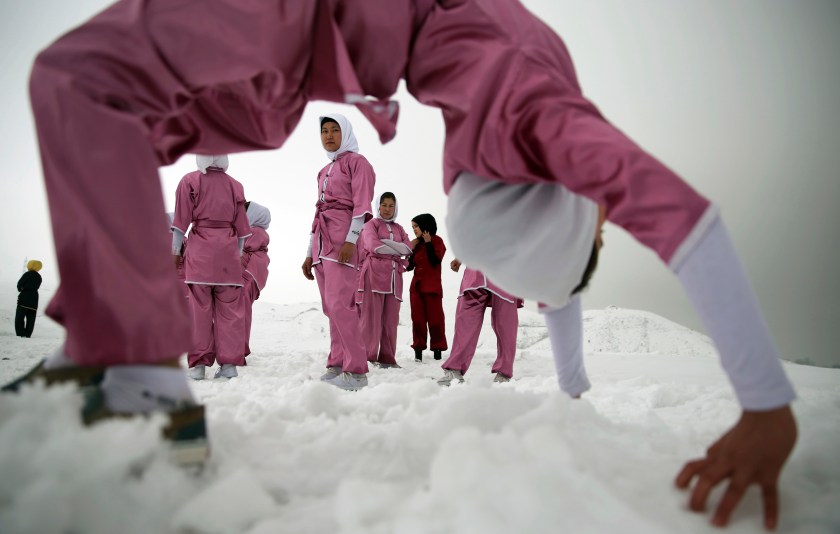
(381, 273)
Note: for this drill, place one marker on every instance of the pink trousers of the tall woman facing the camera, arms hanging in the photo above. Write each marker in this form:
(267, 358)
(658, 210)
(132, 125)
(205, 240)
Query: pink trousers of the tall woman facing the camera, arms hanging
(338, 284)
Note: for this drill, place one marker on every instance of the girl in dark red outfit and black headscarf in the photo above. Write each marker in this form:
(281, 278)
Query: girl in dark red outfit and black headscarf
(426, 291)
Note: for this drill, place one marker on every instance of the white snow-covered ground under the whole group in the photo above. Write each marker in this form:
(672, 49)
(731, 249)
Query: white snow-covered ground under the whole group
(292, 455)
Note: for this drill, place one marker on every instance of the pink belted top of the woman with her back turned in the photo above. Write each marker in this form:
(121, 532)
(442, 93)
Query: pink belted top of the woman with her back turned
(214, 203)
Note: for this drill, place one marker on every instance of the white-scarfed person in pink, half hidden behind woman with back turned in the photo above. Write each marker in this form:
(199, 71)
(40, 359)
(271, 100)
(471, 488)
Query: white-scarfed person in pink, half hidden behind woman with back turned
(254, 265)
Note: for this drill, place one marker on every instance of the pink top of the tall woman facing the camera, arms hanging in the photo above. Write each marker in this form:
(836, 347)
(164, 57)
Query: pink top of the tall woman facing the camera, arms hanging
(345, 191)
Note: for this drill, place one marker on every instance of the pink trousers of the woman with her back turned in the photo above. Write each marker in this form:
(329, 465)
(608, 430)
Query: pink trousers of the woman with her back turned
(218, 325)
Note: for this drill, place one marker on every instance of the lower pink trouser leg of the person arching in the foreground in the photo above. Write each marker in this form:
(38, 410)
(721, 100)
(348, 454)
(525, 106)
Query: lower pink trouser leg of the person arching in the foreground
(118, 300)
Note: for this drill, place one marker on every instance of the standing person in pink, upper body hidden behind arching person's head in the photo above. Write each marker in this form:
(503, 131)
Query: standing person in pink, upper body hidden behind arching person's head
(478, 294)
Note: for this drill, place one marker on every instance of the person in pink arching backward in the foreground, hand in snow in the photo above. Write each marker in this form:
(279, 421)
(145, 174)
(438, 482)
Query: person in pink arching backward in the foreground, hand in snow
(527, 161)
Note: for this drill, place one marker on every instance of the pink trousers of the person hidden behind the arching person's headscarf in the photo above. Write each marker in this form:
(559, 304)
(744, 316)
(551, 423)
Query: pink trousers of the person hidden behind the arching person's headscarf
(468, 319)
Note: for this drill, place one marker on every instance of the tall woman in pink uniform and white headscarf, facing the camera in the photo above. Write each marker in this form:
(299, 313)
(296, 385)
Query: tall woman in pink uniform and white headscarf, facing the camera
(345, 193)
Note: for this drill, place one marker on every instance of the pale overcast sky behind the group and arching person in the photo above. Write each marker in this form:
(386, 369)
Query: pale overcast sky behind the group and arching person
(740, 98)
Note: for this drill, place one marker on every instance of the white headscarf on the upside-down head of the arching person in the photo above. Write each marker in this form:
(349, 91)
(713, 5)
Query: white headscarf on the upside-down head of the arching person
(533, 240)
